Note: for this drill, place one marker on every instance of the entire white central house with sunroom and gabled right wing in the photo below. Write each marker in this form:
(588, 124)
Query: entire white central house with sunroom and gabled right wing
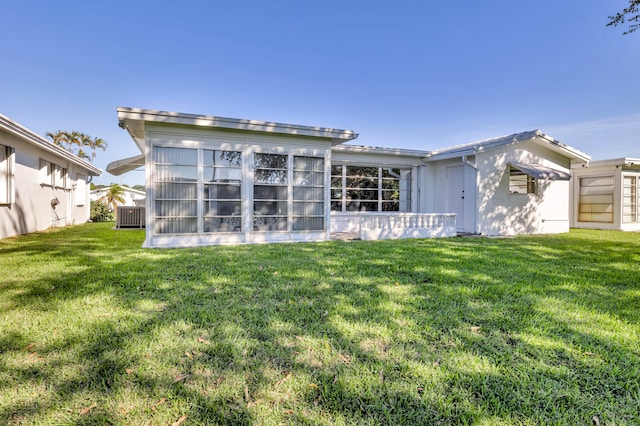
(214, 180)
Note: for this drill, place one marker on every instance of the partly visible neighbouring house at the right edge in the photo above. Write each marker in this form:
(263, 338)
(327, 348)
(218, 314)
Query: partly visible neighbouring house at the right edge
(606, 194)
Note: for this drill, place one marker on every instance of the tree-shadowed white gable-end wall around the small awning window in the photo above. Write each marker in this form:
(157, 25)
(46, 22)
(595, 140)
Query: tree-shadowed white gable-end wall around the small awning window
(502, 213)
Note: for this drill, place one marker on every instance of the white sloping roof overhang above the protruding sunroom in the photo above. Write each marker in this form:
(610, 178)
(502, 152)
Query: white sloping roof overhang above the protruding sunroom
(133, 119)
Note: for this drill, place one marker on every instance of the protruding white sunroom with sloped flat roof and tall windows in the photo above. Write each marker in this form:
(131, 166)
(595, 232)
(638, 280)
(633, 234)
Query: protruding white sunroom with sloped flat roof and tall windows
(213, 180)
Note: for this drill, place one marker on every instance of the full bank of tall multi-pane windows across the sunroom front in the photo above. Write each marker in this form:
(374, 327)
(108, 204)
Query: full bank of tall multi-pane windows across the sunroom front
(199, 190)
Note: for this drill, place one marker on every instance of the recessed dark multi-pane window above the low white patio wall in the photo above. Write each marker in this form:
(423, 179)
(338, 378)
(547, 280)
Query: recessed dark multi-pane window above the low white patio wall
(367, 188)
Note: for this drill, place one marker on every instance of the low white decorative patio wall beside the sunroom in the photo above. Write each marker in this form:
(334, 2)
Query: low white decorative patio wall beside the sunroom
(381, 226)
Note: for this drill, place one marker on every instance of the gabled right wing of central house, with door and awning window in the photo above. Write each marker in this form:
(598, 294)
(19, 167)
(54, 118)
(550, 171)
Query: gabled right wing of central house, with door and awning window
(517, 184)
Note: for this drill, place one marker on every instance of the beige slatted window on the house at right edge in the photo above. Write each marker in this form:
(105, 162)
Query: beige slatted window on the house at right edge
(596, 199)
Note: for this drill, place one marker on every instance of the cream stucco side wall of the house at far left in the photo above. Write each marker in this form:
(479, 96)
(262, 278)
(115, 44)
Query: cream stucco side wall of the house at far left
(32, 210)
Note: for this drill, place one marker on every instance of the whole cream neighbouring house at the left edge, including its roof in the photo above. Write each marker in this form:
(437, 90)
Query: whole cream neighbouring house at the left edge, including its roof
(41, 184)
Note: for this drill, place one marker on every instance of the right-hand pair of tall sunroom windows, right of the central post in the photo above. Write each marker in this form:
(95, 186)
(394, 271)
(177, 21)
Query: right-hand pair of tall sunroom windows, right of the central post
(288, 198)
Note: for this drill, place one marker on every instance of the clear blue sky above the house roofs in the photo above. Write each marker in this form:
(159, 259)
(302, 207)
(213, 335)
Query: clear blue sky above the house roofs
(407, 74)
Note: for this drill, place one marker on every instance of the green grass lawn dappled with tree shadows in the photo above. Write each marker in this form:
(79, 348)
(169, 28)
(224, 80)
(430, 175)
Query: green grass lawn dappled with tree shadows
(529, 330)
